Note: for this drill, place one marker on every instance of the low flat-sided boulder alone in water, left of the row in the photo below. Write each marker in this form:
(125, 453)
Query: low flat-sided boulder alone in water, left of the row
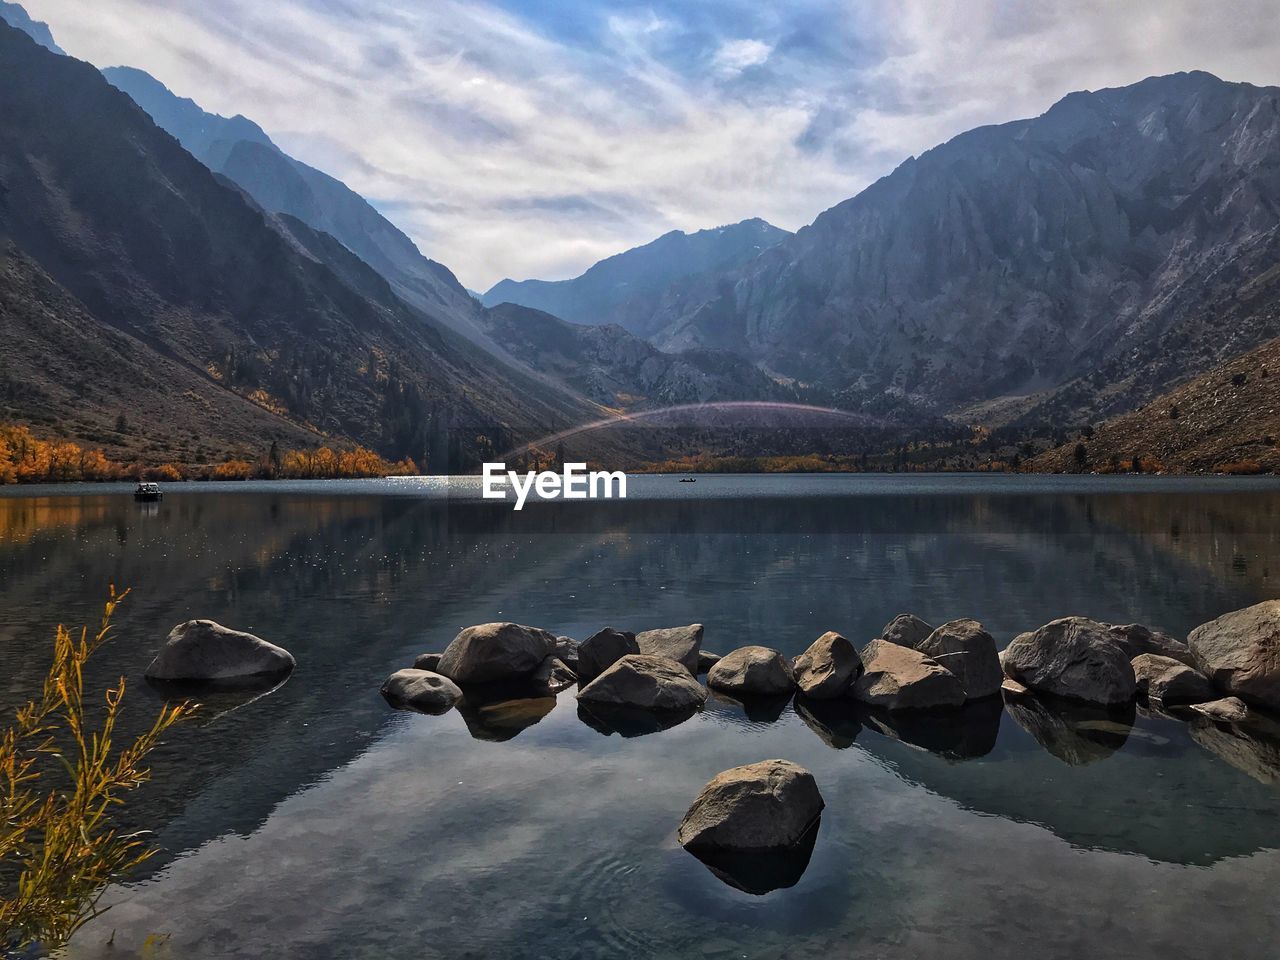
(202, 650)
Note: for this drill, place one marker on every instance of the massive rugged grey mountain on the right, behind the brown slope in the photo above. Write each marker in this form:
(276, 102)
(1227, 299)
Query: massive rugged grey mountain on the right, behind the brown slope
(1077, 263)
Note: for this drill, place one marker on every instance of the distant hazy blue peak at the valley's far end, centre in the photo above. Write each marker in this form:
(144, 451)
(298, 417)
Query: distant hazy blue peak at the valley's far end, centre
(628, 289)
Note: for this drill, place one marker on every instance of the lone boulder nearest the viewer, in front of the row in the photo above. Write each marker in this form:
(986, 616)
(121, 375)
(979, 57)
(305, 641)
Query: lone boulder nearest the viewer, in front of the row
(757, 808)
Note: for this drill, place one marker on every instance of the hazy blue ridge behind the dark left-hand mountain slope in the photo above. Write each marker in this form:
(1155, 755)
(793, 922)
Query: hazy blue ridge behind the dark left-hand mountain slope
(243, 152)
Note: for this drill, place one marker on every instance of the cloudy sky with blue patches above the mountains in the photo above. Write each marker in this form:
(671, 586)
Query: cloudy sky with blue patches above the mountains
(533, 138)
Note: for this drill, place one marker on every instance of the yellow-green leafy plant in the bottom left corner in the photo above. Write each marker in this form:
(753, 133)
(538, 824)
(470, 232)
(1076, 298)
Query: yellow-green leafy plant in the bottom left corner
(60, 848)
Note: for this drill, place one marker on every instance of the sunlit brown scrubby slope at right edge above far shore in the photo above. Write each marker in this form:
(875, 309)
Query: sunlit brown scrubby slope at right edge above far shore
(1224, 420)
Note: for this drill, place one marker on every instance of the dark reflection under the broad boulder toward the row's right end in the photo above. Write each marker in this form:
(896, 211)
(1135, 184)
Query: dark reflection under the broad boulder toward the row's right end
(1073, 732)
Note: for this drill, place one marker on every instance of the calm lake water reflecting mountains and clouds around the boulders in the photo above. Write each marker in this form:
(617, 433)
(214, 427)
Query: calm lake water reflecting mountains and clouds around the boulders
(316, 822)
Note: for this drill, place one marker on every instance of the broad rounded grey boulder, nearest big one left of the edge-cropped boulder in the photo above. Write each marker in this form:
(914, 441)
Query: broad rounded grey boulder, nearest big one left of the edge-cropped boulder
(1072, 657)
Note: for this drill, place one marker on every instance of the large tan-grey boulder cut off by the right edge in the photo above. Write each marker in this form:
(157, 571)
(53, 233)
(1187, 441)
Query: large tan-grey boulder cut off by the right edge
(1240, 653)
